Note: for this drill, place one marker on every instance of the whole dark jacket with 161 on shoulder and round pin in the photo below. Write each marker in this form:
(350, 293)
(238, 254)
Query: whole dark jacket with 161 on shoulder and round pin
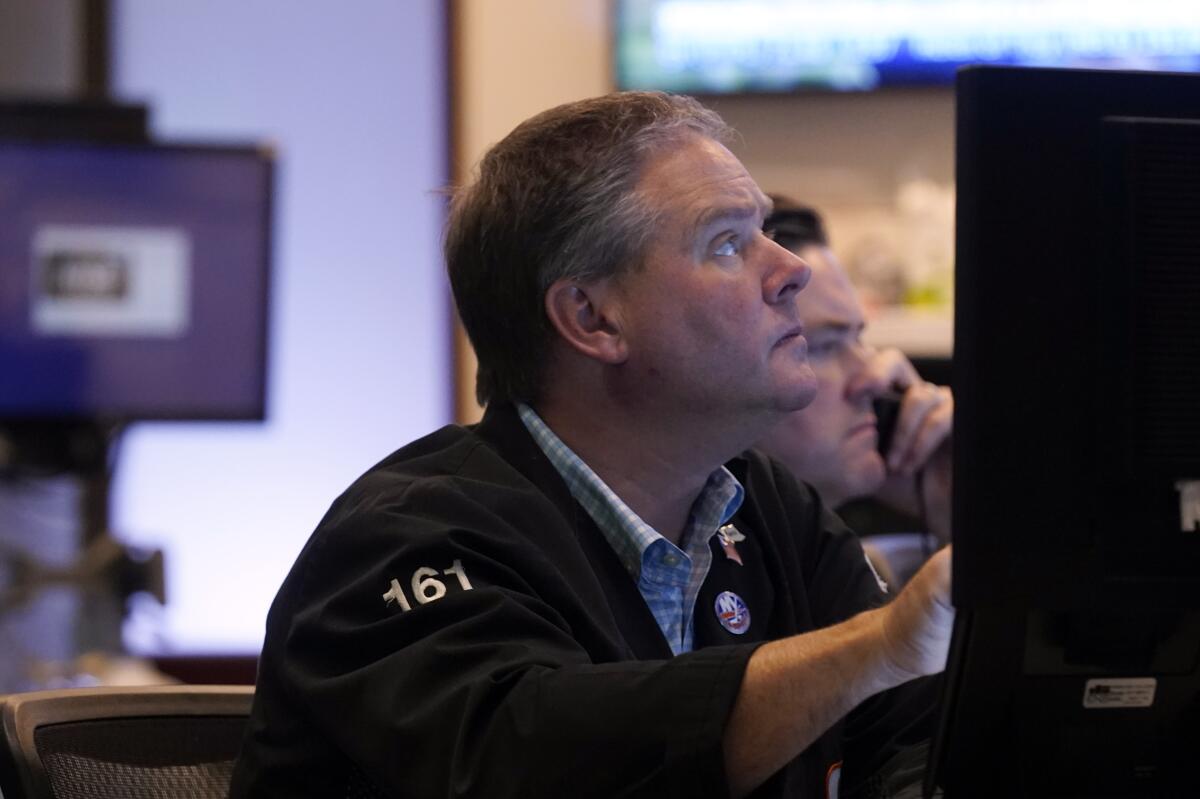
(458, 626)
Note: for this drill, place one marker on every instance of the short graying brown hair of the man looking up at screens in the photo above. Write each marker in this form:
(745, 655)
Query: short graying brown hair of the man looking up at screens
(557, 199)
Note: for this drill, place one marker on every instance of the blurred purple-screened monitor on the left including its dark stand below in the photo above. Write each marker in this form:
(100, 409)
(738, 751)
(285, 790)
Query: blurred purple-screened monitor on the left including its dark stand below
(134, 285)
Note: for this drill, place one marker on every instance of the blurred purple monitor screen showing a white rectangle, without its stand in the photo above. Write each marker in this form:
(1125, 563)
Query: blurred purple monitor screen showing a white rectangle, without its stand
(134, 281)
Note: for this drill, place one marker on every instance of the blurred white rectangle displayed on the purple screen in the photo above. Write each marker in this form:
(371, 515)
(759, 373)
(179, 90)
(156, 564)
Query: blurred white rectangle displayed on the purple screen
(111, 281)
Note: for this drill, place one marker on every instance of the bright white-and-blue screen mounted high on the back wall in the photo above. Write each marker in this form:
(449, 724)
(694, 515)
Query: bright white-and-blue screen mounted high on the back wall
(776, 46)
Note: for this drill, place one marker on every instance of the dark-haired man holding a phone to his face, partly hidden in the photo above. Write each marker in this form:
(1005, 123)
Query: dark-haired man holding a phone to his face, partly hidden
(836, 442)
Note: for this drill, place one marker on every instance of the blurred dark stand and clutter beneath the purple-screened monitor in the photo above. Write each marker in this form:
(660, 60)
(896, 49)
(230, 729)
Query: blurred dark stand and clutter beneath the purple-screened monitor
(67, 578)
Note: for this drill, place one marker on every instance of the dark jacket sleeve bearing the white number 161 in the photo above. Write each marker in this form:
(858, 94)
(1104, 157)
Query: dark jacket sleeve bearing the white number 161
(441, 652)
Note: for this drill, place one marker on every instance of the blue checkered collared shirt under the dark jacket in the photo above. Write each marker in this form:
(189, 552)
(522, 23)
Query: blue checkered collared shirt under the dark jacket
(669, 578)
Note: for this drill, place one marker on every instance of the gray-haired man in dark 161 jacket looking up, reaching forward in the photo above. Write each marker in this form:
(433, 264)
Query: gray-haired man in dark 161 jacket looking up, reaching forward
(598, 592)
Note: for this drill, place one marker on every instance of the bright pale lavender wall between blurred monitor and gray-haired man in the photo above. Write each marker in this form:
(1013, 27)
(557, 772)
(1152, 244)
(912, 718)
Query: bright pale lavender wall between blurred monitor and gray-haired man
(353, 95)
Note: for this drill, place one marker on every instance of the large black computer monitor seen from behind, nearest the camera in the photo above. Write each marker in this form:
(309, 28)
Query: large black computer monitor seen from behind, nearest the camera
(1077, 444)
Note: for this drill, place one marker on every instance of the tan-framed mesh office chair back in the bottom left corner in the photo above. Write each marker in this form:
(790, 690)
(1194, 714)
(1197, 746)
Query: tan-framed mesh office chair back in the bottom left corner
(122, 743)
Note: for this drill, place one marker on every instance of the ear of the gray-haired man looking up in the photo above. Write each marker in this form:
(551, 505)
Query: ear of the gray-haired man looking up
(587, 317)
